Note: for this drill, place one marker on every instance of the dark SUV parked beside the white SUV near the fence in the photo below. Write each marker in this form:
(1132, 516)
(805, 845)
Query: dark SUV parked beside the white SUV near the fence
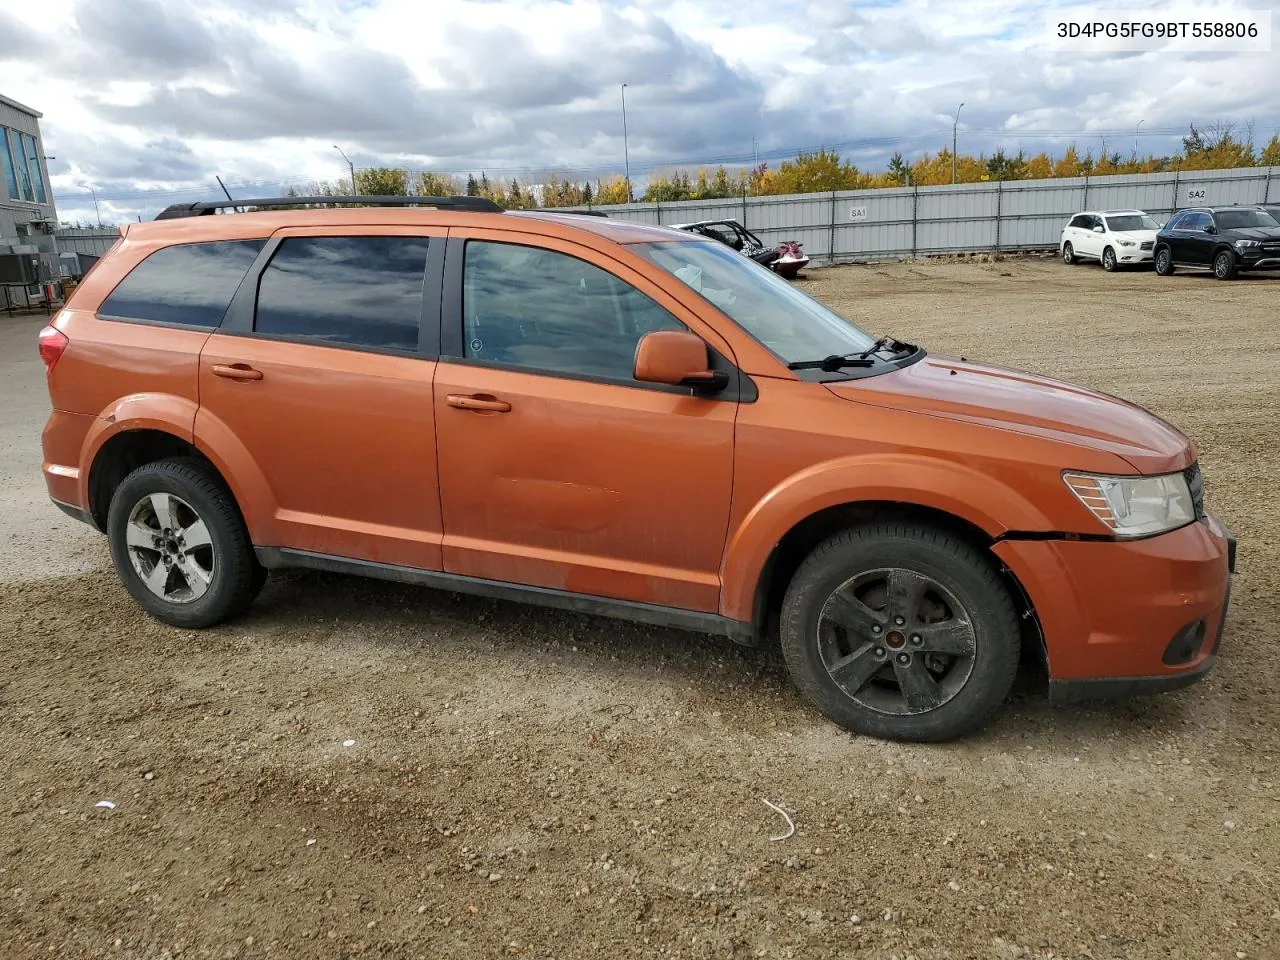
(1224, 240)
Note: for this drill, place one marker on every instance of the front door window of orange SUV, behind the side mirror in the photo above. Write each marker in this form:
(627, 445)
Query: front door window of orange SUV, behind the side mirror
(550, 312)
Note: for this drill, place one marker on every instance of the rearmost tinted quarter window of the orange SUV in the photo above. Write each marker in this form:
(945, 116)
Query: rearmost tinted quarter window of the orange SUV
(189, 284)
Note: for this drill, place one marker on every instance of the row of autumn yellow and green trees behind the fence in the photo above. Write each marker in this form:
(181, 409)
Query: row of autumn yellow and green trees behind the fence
(815, 172)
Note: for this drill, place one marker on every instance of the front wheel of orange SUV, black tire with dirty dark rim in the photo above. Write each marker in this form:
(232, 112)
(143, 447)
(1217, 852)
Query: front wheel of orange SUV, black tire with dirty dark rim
(900, 632)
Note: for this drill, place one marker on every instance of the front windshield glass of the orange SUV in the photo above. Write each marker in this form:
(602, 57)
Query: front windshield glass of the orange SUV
(794, 326)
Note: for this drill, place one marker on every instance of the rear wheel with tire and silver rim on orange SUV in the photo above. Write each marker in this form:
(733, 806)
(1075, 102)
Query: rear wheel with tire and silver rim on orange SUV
(180, 545)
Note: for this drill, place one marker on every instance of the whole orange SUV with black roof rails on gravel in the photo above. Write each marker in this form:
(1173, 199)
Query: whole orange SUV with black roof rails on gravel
(621, 420)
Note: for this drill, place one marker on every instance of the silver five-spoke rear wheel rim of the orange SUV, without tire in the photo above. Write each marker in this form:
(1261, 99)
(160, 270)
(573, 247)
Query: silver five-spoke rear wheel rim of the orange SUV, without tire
(171, 548)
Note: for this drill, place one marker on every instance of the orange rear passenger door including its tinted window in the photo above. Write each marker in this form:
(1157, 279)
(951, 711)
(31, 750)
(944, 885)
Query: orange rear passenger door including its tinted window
(319, 386)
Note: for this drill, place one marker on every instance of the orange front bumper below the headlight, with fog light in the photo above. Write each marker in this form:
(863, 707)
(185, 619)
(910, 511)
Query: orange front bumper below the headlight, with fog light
(1110, 611)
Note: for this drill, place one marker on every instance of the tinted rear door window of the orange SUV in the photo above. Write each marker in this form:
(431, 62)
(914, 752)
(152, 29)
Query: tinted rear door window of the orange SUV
(356, 291)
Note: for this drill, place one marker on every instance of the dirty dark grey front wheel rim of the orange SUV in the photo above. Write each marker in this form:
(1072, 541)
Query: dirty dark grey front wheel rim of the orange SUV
(897, 642)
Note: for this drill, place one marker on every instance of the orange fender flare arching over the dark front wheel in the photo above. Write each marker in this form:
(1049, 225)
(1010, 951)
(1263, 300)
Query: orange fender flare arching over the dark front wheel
(922, 482)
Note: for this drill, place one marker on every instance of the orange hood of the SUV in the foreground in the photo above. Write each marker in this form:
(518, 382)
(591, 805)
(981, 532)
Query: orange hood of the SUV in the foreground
(1022, 403)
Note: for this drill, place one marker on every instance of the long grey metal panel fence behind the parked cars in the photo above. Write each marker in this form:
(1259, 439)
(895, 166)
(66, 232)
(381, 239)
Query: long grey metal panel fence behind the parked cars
(1012, 216)
